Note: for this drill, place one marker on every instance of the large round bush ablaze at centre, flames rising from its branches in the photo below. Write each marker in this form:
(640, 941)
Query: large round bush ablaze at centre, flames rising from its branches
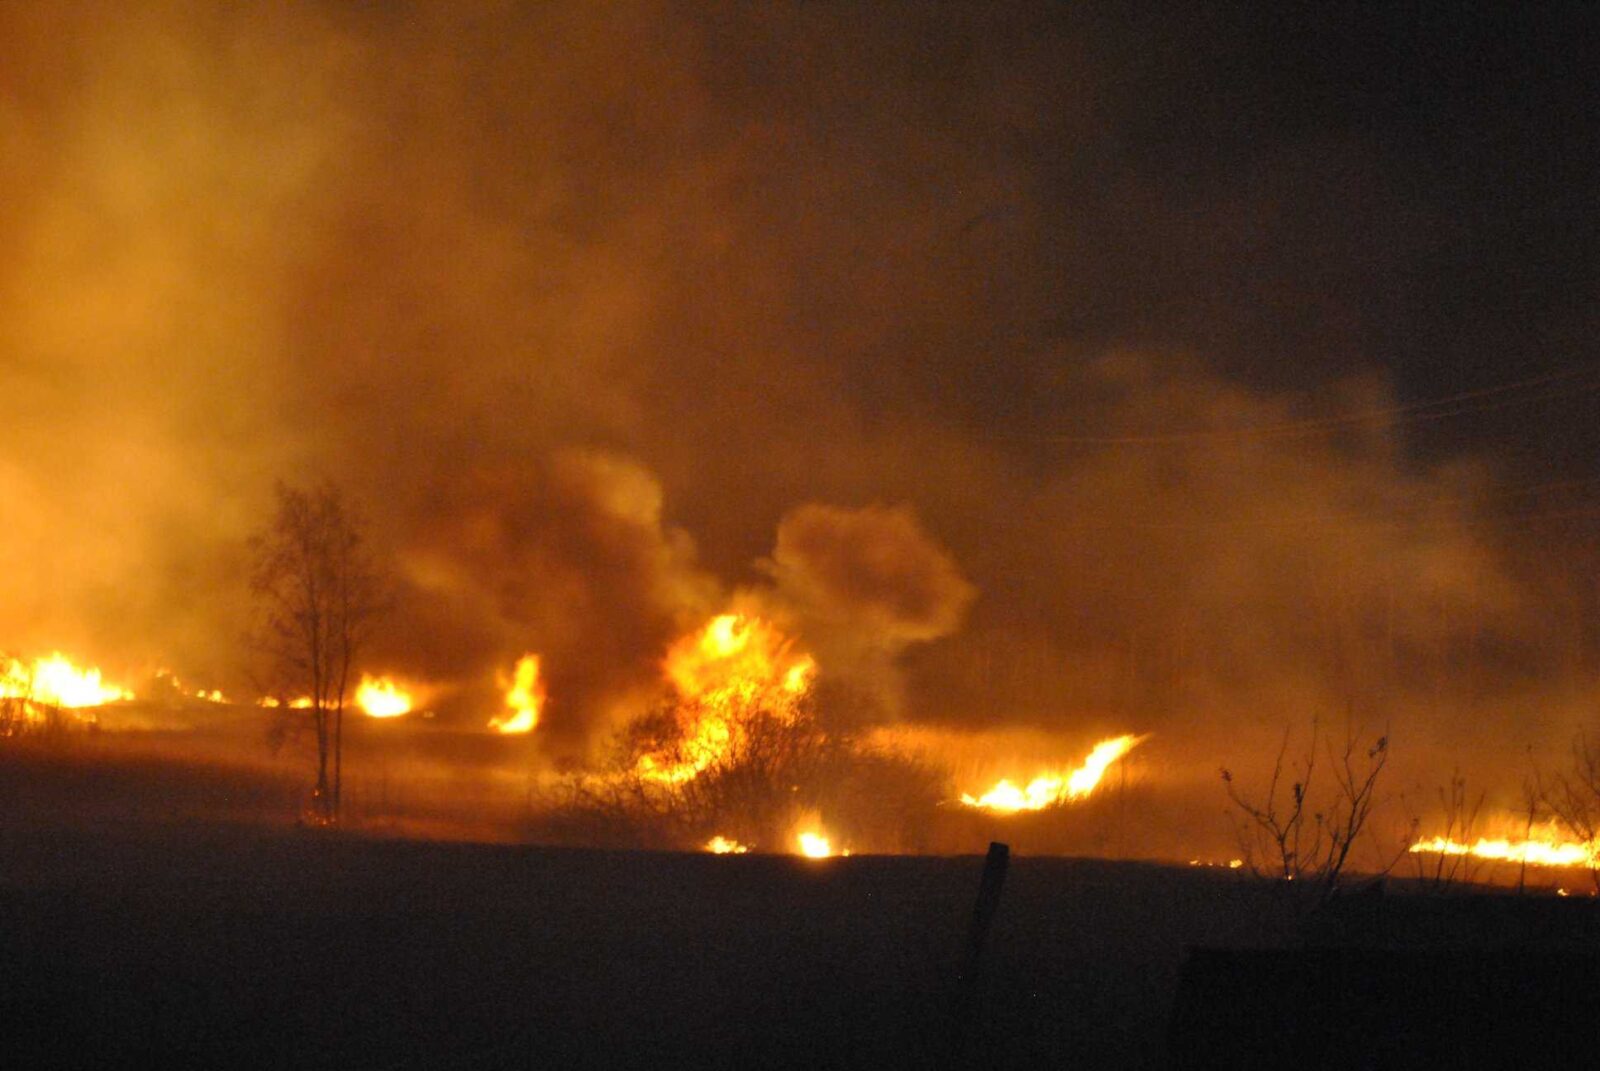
(738, 753)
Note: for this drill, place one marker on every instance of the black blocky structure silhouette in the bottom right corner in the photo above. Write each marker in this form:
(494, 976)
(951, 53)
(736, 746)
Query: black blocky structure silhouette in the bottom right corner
(1401, 982)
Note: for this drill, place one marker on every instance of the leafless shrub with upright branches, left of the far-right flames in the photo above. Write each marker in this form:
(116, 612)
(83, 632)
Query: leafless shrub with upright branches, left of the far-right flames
(1308, 835)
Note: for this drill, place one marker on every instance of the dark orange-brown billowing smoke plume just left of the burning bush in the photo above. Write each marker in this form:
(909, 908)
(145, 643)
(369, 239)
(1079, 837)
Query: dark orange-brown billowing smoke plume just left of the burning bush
(567, 558)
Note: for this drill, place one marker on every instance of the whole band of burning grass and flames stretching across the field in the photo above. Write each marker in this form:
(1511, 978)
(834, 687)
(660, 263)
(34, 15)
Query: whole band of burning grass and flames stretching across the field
(732, 758)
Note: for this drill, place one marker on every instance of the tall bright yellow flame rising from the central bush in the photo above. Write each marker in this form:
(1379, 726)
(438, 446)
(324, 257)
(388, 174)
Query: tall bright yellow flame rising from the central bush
(726, 673)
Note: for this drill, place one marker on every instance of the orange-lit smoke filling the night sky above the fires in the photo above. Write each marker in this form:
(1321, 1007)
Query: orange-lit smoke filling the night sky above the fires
(583, 310)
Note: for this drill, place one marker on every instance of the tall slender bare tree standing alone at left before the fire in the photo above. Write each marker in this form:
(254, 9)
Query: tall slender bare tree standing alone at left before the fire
(318, 593)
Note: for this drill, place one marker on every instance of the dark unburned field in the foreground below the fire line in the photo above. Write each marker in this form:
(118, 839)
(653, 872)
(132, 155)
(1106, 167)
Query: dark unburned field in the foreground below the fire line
(166, 915)
